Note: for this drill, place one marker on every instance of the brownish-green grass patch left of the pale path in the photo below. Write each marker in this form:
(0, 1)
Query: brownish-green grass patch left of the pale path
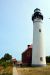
(6, 71)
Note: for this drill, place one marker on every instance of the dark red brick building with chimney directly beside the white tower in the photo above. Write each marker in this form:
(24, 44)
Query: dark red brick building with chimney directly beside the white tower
(27, 56)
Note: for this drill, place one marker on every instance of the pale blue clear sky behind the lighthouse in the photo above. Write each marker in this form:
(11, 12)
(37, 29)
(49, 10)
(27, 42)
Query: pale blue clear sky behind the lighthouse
(16, 26)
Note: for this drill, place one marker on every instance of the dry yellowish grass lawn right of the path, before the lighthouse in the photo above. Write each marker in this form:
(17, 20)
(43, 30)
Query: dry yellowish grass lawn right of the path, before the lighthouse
(34, 70)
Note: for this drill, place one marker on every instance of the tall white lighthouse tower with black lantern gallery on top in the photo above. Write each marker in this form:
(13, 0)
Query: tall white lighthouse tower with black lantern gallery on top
(38, 50)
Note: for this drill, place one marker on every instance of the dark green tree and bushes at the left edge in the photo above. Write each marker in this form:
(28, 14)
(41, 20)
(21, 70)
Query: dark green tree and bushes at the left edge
(6, 60)
